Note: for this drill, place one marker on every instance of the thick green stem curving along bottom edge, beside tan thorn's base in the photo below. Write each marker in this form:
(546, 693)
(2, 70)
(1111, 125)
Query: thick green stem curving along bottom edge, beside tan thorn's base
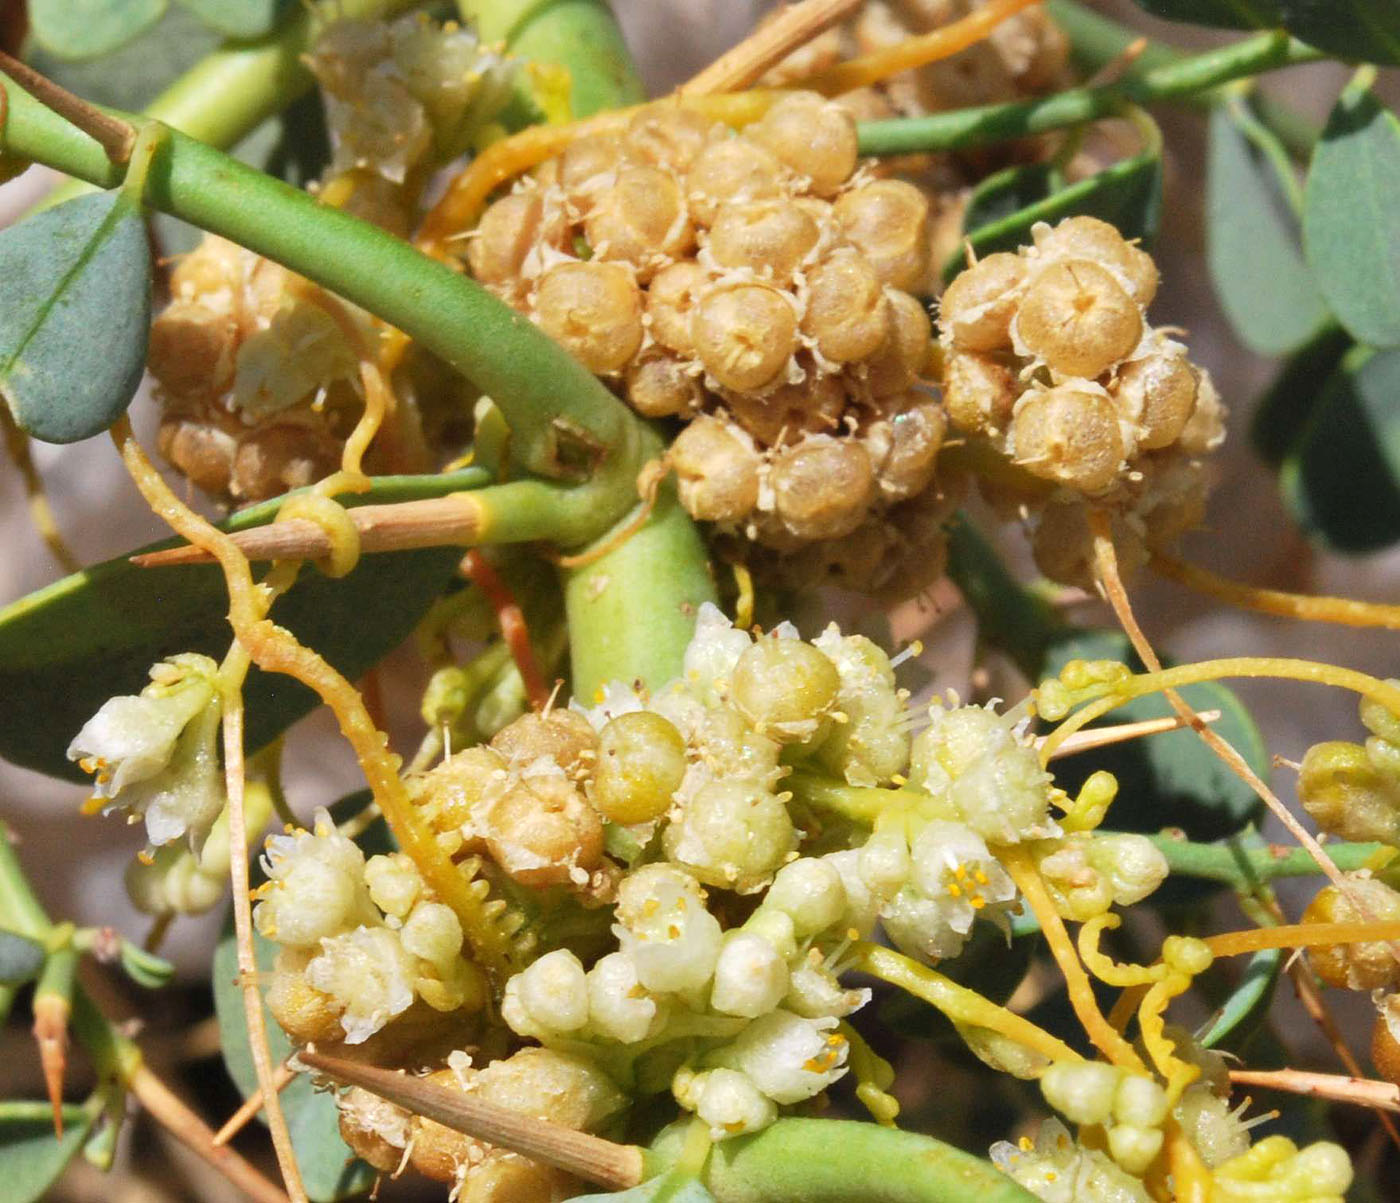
(839, 1162)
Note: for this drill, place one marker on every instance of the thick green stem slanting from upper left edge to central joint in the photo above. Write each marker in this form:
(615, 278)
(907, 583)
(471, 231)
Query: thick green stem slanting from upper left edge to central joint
(561, 414)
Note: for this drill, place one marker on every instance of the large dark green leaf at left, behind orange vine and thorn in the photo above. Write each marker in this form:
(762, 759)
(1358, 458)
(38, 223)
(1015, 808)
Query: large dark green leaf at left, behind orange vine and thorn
(71, 646)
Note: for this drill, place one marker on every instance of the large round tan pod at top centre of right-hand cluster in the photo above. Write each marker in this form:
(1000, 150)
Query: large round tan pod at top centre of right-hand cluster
(1077, 319)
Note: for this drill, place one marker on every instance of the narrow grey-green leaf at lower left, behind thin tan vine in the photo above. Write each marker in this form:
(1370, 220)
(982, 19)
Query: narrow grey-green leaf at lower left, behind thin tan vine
(330, 1170)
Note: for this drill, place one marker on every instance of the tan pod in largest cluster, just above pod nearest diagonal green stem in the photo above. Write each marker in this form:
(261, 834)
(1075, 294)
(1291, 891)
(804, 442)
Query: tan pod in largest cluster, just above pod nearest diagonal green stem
(640, 221)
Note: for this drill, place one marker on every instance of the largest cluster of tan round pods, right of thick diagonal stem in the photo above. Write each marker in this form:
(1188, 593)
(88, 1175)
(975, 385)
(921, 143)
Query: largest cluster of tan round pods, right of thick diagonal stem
(754, 285)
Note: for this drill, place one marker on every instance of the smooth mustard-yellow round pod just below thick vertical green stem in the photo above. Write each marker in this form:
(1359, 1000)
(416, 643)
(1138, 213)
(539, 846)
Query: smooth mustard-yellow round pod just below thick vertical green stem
(642, 760)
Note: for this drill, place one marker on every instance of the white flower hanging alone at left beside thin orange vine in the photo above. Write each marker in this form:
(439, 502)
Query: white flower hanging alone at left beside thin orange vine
(156, 753)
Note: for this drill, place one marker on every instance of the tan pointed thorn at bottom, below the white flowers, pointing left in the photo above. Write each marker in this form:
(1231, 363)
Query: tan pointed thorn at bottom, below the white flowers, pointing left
(605, 1163)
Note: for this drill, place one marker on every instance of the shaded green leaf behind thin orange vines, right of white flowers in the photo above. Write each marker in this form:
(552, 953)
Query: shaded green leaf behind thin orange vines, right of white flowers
(1171, 779)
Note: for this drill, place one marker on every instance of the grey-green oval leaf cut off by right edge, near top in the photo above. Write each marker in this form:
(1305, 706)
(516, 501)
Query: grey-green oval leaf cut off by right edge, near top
(1352, 223)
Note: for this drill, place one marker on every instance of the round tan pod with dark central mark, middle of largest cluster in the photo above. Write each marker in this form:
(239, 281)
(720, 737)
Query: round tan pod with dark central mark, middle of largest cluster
(744, 334)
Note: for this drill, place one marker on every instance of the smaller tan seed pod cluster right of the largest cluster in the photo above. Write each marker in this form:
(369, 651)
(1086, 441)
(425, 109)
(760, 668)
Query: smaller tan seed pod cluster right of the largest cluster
(1051, 365)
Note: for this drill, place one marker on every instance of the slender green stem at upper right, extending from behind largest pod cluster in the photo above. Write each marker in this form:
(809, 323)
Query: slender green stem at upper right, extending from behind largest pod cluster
(1188, 78)
